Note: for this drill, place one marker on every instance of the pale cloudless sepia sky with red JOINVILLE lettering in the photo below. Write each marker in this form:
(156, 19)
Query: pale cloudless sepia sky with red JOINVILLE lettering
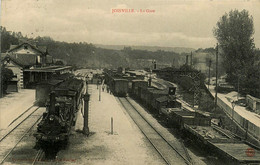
(170, 23)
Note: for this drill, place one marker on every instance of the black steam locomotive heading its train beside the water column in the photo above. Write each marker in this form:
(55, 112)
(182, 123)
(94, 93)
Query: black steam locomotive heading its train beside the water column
(61, 111)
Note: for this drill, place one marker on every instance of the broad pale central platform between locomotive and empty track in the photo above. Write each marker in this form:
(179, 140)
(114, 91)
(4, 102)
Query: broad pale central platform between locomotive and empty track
(127, 144)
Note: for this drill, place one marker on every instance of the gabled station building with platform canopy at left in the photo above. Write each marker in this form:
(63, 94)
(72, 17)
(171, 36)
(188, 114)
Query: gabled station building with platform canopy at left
(30, 64)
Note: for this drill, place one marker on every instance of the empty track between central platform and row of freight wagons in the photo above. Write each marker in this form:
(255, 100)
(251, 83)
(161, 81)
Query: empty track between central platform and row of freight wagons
(165, 149)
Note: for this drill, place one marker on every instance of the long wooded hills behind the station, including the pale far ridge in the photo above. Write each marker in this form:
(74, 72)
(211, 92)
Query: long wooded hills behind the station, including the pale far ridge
(100, 56)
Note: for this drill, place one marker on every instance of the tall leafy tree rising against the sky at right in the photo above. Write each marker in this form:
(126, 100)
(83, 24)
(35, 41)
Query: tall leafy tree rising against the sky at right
(234, 32)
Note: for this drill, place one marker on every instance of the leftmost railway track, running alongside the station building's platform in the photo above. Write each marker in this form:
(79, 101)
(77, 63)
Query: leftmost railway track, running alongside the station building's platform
(13, 137)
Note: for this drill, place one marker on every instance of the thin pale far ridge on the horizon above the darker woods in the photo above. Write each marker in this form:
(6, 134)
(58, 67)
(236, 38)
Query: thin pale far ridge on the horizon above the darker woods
(148, 48)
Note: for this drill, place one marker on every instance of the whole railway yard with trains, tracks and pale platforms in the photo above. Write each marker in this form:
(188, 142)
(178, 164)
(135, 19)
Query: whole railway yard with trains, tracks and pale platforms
(138, 124)
